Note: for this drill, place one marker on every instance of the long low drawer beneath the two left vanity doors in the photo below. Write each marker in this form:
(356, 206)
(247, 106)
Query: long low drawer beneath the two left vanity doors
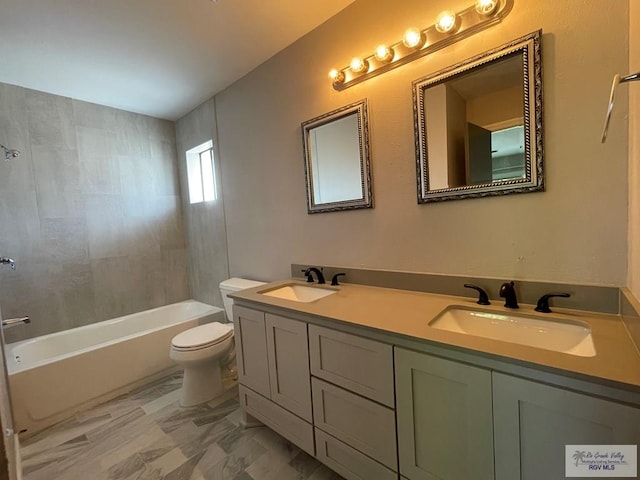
(277, 418)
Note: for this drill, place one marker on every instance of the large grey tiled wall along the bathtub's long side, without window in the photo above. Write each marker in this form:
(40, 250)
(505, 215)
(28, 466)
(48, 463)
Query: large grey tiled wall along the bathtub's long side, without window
(90, 212)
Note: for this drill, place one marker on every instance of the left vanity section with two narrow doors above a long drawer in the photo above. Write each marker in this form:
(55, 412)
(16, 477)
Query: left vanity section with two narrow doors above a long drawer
(272, 356)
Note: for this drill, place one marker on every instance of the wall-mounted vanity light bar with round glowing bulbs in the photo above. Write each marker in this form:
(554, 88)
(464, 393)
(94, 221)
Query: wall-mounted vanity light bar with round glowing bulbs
(448, 28)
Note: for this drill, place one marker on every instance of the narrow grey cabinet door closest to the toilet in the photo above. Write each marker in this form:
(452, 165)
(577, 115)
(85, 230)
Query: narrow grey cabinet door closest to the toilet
(251, 349)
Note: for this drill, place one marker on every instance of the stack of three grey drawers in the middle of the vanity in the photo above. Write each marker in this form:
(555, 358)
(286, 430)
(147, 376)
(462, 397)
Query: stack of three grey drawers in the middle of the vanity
(353, 404)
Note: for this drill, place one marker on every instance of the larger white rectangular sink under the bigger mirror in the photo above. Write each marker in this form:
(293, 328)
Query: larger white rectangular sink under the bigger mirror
(555, 334)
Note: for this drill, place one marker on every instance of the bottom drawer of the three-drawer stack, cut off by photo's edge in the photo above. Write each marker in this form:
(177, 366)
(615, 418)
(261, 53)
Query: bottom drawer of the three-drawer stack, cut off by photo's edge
(348, 462)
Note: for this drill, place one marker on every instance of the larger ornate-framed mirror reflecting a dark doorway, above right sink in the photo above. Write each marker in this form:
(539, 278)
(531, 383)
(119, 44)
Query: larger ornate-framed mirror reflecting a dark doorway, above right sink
(478, 125)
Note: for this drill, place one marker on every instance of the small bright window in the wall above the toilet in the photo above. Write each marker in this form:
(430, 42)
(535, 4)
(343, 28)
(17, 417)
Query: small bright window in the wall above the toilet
(201, 174)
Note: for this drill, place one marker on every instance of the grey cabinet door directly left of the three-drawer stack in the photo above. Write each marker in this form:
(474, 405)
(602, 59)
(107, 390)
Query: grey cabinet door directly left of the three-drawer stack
(288, 353)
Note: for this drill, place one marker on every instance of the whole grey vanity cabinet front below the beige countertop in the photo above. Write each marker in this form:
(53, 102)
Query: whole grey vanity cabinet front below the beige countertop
(370, 410)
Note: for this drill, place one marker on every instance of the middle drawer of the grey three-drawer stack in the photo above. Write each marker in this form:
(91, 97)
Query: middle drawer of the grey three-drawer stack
(365, 425)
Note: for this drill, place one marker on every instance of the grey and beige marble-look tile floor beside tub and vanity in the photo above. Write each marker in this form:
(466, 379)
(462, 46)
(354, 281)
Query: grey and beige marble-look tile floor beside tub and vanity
(146, 435)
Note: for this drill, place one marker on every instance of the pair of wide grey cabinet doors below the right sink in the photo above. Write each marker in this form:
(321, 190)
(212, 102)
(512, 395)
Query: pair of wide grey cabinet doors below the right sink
(456, 421)
